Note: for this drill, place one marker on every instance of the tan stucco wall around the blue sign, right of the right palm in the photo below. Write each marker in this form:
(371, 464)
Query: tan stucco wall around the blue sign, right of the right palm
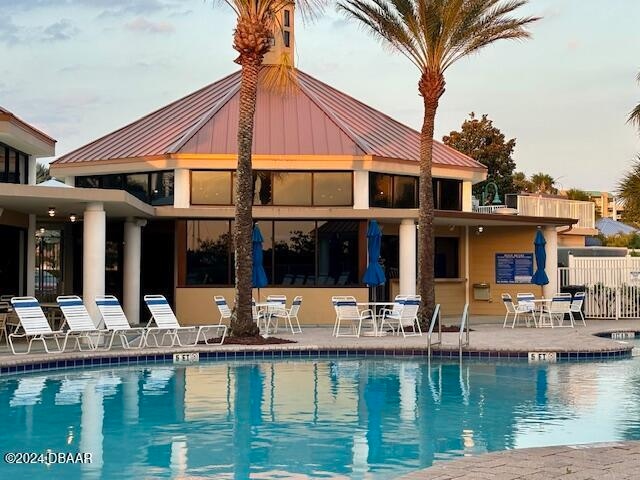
(482, 250)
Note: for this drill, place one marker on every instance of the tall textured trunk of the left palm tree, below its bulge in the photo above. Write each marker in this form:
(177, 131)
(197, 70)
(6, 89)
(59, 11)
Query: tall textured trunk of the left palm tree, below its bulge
(242, 322)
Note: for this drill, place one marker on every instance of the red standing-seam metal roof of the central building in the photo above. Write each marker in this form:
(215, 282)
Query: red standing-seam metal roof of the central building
(316, 119)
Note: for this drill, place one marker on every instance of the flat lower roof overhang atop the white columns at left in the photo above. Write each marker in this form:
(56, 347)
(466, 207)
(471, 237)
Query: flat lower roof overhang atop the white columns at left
(33, 199)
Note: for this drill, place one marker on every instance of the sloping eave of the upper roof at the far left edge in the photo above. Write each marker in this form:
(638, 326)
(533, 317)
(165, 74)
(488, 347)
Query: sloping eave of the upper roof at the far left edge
(22, 136)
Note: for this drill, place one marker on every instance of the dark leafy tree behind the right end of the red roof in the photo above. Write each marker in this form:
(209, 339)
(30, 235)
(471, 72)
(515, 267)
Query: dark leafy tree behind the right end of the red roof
(486, 144)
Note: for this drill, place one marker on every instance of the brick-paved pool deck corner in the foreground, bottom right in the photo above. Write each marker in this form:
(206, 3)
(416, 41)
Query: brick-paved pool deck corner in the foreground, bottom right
(596, 461)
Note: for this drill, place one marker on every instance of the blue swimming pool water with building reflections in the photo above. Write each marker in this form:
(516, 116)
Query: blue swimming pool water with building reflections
(355, 418)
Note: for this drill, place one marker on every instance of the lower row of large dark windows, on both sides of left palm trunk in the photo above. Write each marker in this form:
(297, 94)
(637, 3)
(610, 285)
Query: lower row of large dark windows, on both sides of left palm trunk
(301, 253)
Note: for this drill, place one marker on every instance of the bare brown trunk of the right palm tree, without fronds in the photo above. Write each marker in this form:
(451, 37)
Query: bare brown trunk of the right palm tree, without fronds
(431, 88)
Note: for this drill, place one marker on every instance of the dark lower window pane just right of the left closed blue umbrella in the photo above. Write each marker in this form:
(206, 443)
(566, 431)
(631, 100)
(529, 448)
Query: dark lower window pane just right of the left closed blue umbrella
(294, 253)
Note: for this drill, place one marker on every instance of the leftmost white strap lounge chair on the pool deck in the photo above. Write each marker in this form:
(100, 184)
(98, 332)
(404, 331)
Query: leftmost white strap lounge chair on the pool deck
(34, 326)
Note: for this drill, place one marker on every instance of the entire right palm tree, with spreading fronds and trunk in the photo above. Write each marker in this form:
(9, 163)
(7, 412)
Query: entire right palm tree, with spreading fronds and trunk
(433, 35)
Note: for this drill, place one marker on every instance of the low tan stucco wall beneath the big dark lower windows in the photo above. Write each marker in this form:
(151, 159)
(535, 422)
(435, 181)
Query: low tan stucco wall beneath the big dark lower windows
(194, 306)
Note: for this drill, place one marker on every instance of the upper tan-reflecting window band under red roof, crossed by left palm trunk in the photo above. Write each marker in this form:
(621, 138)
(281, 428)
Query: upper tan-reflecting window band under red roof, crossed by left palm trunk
(275, 188)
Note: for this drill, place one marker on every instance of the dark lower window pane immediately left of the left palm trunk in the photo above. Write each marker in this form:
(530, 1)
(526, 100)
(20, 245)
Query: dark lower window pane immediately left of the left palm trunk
(208, 246)
